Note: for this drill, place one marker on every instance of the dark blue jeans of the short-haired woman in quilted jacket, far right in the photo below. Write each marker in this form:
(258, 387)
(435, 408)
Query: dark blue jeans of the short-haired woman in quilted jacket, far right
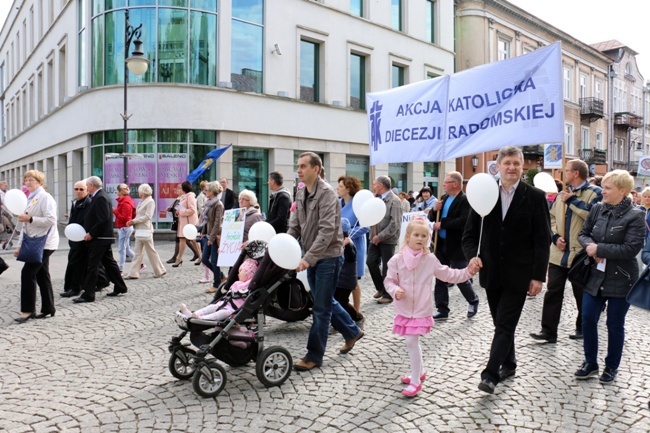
(617, 308)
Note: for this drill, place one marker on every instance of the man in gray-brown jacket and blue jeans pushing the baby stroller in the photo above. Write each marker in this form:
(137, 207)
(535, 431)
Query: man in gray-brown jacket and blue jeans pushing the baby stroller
(317, 223)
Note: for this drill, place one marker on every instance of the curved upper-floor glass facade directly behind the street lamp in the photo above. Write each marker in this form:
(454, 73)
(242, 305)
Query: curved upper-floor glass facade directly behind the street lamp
(179, 39)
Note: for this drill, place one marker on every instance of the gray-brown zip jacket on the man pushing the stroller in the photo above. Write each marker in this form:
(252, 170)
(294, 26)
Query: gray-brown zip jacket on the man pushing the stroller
(317, 223)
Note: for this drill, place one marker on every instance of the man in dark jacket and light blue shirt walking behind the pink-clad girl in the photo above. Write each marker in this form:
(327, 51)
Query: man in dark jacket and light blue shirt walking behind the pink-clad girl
(453, 209)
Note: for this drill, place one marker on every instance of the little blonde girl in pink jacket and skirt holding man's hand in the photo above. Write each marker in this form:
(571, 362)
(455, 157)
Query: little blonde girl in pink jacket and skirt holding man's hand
(409, 279)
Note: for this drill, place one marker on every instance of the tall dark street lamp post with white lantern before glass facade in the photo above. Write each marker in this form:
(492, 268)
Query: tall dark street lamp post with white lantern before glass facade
(137, 64)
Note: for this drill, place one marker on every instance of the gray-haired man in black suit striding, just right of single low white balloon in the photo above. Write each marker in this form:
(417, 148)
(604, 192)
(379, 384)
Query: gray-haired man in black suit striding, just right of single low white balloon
(98, 223)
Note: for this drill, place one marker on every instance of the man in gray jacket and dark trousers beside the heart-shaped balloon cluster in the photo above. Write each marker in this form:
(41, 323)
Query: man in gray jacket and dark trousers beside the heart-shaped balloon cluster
(384, 237)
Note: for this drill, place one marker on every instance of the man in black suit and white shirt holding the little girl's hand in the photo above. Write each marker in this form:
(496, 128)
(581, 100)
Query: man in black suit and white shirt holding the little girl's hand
(514, 252)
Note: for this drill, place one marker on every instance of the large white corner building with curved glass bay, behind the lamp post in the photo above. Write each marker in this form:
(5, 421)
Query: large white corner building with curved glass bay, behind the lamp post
(272, 77)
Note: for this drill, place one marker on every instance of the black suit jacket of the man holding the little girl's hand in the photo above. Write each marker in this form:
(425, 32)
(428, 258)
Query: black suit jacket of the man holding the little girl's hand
(514, 250)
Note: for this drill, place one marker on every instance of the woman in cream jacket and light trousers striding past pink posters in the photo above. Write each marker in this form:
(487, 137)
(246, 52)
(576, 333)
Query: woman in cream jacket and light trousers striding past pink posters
(144, 235)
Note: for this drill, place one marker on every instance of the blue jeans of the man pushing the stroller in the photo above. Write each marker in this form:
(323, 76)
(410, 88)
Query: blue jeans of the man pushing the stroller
(322, 279)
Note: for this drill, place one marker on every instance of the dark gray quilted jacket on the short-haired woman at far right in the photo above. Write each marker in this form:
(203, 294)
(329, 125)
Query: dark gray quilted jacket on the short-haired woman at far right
(619, 235)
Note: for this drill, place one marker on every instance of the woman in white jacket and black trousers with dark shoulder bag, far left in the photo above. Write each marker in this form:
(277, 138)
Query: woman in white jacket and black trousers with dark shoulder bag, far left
(39, 219)
